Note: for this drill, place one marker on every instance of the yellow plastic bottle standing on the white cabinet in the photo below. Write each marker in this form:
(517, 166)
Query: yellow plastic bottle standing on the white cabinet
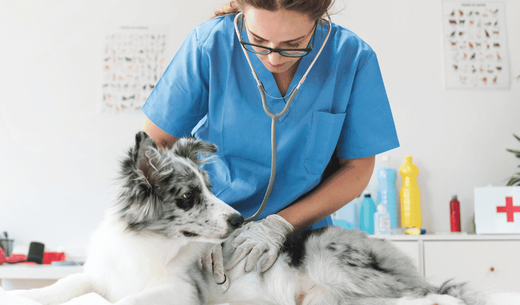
(410, 195)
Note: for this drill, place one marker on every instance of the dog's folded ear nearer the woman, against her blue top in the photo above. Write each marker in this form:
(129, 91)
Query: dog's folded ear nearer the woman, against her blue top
(191, 148)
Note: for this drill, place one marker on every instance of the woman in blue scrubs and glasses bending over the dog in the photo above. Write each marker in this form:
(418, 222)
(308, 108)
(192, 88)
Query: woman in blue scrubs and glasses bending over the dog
(341, 113)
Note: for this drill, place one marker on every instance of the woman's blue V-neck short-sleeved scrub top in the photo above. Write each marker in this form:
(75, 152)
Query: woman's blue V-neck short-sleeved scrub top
(208, 90)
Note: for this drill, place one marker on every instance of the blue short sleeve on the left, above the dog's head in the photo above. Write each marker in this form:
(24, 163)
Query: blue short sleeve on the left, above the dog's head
(180, 98)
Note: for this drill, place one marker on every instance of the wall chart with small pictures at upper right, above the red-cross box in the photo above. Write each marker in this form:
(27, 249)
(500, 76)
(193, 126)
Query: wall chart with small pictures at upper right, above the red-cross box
(475, 45)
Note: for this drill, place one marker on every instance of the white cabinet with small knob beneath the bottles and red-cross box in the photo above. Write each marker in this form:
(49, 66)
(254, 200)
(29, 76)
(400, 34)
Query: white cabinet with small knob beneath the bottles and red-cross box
(484, 261)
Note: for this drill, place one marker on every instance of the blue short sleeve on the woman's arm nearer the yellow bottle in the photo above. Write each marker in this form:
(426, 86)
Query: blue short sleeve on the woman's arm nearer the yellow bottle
(369, 127)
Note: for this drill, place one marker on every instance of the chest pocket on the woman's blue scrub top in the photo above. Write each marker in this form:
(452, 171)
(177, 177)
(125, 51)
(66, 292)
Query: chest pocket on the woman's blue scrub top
(322, 140)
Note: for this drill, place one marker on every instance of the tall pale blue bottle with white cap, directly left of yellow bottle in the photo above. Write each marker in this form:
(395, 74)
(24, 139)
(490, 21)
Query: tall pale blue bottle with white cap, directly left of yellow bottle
(386, 193)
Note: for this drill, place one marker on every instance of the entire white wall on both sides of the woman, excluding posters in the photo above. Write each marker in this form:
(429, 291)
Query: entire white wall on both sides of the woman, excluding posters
(59, 156)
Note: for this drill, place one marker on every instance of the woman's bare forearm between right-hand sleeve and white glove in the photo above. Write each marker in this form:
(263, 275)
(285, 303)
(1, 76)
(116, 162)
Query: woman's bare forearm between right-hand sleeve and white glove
(339, 189)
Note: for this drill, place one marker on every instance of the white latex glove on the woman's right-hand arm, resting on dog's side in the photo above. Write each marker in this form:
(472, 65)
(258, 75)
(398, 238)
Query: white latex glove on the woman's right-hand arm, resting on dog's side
(260, 241)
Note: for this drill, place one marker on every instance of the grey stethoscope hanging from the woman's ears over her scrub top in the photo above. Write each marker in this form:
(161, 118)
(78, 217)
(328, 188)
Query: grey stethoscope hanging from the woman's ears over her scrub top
(274, 116)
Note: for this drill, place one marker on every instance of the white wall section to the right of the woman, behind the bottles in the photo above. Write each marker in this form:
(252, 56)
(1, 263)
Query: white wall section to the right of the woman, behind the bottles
(458, 138)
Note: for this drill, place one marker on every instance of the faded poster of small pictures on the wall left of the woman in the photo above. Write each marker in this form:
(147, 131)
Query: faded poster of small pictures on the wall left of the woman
(133, 61)
